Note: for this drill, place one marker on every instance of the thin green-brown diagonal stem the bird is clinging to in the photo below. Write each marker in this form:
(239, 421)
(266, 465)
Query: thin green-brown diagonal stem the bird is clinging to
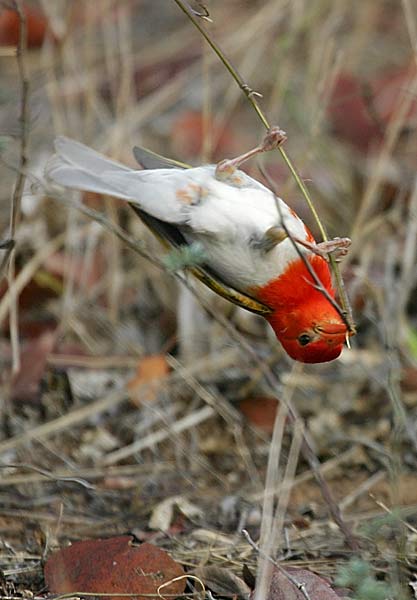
(251, 96)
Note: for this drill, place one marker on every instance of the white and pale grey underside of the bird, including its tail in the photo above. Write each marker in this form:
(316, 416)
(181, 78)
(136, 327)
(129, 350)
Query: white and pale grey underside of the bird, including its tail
(228, 217)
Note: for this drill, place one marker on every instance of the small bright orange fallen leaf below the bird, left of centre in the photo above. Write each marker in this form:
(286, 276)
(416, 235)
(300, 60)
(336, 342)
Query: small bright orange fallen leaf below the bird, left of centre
(151, 370)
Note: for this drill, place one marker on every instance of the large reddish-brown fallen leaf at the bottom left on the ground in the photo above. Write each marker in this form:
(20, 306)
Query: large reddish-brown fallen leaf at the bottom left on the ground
(113, 566)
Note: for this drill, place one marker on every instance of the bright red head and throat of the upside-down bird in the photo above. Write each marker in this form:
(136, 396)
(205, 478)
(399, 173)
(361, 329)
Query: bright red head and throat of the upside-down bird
(307, 325)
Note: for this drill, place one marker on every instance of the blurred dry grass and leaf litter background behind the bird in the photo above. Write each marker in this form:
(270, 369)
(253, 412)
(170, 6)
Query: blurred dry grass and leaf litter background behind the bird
(129, 406)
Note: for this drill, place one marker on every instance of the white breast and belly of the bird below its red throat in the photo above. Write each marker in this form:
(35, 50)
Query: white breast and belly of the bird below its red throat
(229, 220)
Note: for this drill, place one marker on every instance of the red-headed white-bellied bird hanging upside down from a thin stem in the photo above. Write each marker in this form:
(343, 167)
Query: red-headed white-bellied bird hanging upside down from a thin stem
(257, 252)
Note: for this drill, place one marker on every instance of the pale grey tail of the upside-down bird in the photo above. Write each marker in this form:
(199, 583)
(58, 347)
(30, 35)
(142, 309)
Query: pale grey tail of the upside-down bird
(77, 166)
